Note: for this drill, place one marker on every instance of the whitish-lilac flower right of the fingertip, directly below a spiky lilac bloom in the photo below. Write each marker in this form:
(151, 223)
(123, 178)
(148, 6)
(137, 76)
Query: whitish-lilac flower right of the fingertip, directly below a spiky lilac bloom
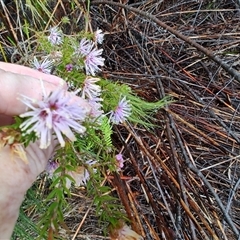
(90, 89)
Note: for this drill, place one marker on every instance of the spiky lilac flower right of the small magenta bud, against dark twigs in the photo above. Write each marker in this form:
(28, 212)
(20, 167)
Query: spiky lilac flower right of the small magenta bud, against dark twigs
(93, 60)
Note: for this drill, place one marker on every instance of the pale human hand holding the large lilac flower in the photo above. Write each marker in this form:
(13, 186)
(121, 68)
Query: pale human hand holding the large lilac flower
(16, 176)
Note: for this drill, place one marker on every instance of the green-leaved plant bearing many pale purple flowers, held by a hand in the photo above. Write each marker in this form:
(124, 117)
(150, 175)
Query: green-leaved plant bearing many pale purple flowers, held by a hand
(82, 116)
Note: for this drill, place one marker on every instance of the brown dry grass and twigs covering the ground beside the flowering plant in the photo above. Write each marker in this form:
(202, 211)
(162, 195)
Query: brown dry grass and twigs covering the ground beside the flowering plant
(181, 180)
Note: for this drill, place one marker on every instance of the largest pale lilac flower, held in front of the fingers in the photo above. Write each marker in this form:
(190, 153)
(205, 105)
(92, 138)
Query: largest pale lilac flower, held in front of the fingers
(57, 113)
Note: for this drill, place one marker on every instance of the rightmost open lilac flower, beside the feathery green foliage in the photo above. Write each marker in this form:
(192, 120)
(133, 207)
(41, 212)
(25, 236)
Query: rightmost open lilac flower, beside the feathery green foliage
(122, 112)
